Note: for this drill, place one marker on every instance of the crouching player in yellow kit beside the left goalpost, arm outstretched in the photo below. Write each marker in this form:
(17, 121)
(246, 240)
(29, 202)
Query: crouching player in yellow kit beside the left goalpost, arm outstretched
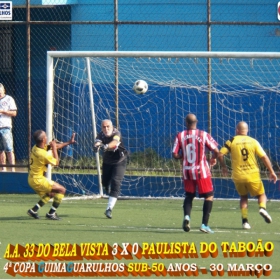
(44, 187)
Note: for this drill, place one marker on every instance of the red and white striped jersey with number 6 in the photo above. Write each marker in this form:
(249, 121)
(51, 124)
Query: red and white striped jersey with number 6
(193, 144)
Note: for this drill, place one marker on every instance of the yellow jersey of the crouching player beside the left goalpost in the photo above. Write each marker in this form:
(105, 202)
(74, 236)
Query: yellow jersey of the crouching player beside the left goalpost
(39, 159)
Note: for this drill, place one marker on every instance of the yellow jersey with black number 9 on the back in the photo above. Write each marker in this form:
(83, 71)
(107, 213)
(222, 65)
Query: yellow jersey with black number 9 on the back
(244, 150)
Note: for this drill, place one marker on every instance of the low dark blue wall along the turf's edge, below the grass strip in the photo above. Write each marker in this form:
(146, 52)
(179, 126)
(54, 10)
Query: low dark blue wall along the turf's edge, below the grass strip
(154, 186)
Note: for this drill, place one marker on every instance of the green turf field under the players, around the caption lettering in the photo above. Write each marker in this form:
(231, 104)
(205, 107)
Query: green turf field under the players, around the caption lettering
(141, 221)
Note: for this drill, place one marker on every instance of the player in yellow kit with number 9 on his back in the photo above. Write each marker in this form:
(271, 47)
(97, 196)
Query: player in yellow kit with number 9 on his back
(245, 170)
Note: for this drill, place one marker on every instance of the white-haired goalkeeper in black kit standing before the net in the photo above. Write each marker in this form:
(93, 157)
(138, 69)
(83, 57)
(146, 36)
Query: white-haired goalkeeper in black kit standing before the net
(114, 162)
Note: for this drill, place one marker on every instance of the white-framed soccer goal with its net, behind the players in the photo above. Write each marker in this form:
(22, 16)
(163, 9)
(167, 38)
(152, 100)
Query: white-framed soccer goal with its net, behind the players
(221, 88)
